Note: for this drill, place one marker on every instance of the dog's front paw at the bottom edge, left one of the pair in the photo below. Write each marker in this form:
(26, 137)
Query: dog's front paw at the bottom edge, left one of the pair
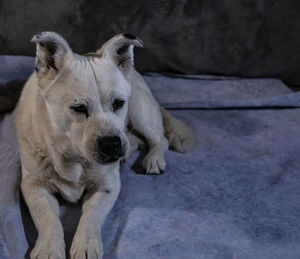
(49, 247)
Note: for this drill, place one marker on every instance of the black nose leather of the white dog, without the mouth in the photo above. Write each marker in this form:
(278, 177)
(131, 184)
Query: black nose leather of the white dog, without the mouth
(111, 146)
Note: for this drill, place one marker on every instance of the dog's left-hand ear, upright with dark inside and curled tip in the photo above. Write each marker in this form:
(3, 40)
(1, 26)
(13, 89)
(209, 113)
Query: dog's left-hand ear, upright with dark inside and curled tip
(51, 53)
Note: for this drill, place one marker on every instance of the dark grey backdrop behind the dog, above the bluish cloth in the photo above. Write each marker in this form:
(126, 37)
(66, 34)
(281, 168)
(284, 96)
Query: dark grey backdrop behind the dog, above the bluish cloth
(248, 38)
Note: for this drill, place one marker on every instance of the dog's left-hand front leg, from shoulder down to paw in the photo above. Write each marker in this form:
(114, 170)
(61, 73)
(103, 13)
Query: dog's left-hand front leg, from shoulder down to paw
(44, 210)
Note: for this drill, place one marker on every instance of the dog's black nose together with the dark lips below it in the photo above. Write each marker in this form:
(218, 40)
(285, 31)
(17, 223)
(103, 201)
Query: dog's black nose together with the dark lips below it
(110, 149)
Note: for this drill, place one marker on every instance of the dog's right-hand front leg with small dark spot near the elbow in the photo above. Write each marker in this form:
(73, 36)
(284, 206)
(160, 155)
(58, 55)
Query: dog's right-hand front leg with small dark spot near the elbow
(97, 203)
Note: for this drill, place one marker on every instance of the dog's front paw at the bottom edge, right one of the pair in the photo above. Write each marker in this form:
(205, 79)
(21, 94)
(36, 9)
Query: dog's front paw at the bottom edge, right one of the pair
(84, 246)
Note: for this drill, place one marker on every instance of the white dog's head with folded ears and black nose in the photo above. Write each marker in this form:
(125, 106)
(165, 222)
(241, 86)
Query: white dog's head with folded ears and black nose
(86, 97)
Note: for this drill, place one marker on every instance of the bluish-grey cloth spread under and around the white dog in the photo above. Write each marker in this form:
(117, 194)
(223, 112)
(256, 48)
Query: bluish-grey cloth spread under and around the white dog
(235, 196)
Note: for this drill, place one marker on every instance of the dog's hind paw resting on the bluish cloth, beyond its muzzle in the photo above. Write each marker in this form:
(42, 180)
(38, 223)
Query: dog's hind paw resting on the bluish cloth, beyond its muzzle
(154, 162)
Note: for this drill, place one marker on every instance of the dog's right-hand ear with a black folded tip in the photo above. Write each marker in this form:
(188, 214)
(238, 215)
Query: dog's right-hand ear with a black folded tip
(120, 50)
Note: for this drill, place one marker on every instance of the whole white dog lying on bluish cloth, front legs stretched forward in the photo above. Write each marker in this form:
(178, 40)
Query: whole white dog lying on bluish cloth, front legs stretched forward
(73, 120)
